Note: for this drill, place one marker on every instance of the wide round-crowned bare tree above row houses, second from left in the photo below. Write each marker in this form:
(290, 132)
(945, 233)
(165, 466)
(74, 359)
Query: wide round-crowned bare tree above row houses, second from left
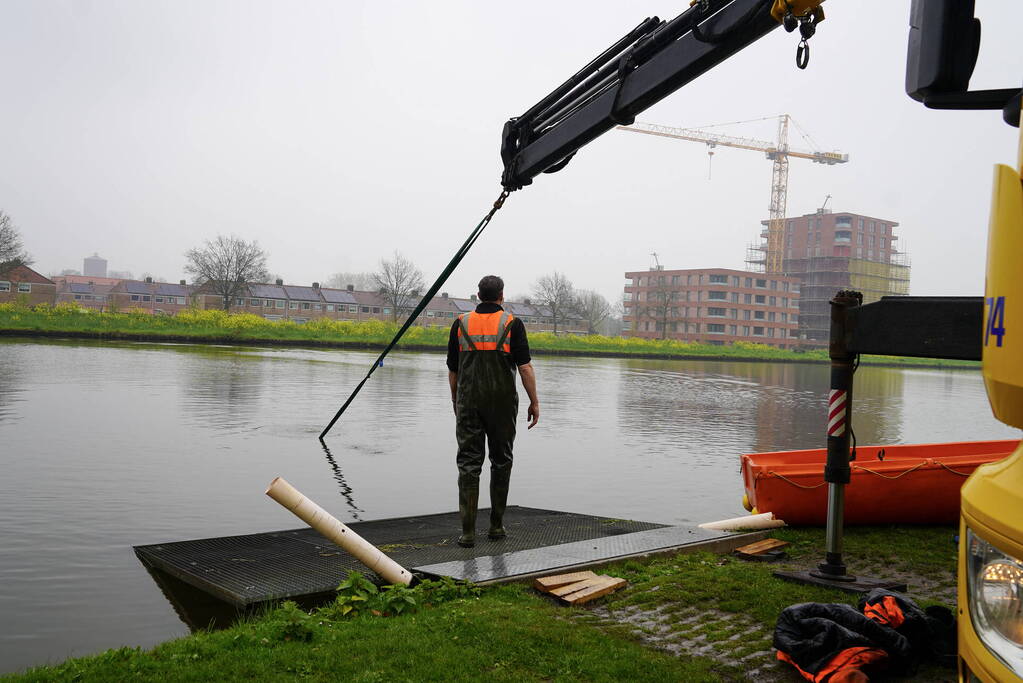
(226, 265)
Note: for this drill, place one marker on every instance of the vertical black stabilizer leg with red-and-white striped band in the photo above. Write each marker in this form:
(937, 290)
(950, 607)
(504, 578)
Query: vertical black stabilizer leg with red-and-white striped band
(839, 418)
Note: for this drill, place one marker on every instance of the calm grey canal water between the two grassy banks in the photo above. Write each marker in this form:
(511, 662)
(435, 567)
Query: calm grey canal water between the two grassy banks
(106, 446)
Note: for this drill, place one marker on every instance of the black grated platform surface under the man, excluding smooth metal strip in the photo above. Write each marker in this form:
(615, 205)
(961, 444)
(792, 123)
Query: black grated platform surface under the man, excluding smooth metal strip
(300, 563)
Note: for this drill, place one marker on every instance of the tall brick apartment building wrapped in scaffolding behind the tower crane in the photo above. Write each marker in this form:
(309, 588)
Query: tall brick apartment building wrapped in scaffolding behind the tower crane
(833, 251)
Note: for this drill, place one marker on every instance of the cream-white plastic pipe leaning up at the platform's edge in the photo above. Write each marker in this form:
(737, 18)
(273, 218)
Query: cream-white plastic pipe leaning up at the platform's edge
(332, 528)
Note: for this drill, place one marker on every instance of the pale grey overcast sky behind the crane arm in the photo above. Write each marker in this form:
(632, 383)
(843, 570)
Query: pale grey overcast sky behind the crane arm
(335, 133)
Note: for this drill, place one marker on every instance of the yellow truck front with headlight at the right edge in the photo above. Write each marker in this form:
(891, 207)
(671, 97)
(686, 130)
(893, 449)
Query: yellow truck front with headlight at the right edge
(991, 563)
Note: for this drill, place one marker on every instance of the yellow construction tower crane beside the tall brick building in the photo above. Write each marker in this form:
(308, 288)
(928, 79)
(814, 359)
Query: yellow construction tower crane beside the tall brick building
(778, 152)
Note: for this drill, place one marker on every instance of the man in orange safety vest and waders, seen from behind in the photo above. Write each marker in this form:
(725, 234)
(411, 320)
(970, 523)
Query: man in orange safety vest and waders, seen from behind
(486, 348)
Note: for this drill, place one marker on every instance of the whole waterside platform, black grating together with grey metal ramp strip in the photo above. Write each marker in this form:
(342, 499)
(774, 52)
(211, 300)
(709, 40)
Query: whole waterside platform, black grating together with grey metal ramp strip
(301, 565)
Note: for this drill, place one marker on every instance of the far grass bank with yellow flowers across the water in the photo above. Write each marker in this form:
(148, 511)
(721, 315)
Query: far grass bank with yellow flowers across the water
(220, 328)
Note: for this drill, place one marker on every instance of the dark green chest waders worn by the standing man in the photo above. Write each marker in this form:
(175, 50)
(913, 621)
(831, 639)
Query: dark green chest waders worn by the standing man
(486, 407)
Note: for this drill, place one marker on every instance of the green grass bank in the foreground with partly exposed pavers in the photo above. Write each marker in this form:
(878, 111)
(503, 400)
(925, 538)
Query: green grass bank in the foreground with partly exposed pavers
(688, 617)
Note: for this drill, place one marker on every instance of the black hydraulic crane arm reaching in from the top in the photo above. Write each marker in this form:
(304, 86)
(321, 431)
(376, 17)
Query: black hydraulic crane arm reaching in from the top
(648, 65)
